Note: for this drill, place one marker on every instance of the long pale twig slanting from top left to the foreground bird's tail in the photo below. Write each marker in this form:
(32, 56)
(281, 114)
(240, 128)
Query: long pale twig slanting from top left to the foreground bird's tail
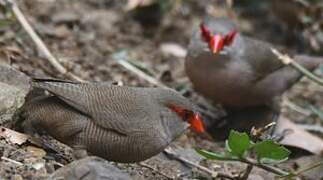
(39, 43)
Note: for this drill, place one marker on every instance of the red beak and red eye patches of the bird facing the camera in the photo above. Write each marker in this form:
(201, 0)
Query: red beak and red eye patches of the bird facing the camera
(216, 42)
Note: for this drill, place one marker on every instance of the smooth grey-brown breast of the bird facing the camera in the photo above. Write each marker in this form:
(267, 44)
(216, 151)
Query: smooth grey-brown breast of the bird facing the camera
(227, 83)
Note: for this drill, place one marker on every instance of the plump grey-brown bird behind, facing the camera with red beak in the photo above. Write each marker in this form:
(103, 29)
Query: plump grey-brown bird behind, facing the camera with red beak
(235, 70)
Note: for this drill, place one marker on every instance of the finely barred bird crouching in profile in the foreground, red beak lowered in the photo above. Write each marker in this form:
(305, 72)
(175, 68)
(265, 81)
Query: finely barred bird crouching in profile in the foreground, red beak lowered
(119, 123)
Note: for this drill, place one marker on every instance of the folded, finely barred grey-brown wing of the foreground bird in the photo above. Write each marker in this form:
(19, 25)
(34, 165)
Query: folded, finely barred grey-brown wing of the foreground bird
(112, 107)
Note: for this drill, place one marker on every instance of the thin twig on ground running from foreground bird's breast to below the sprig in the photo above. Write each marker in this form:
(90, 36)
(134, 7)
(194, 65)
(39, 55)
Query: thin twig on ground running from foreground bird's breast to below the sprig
(202, 168)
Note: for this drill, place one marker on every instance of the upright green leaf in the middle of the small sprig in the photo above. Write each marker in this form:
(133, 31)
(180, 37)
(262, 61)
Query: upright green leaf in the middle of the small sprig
(238, 143)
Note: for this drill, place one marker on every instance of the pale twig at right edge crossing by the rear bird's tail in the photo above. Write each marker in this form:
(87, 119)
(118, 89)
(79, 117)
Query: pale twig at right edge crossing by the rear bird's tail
(289, 61)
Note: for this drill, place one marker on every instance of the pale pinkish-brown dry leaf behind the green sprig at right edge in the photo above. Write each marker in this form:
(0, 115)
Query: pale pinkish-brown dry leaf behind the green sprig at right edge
(298, 137)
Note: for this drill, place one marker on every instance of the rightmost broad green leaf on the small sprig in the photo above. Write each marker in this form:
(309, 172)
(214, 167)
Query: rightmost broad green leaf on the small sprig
(271, 152)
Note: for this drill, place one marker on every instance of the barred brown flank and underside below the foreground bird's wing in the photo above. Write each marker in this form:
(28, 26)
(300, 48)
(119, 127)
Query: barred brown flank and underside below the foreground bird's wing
(66, 124)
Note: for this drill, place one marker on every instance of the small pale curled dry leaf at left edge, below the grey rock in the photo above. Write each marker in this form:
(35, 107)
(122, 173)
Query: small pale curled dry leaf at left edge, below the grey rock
(13, 136)
